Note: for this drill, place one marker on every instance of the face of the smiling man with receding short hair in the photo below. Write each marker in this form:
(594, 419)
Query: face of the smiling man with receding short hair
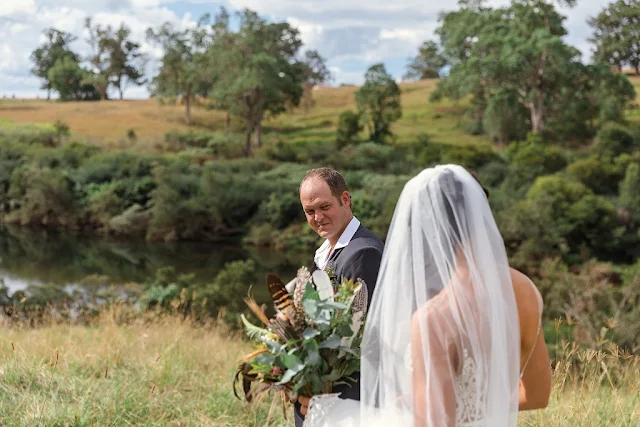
(325, 214)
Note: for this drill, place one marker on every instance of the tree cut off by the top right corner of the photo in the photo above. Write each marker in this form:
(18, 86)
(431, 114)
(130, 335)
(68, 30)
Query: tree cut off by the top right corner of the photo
(616, 34)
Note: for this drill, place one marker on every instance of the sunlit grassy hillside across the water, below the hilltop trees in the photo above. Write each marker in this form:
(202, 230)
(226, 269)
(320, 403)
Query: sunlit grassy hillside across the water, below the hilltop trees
(109, 121)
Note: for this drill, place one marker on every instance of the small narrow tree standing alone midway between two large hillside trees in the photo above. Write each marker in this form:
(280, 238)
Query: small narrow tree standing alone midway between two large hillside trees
(379, 102)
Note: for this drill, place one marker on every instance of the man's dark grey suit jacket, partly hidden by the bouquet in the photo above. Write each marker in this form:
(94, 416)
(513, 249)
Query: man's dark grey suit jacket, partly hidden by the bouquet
(360, 259)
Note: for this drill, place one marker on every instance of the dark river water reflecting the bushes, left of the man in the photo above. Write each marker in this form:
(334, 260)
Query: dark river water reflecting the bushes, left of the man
(38, 257)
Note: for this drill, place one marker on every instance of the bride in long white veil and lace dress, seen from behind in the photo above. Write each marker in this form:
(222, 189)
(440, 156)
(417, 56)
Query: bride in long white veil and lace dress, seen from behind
(452, 337)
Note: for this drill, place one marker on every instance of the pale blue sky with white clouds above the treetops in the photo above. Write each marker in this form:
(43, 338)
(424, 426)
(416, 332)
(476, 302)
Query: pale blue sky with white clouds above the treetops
(351, 34)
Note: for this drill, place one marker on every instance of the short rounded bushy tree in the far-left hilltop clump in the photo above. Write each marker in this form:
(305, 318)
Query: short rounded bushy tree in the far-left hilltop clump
(70, 81)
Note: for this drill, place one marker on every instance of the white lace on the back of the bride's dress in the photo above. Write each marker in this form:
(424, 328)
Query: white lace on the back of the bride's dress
(469, 406)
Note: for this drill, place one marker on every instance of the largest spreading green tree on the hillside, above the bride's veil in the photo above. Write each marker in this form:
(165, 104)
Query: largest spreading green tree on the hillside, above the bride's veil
(516, 50)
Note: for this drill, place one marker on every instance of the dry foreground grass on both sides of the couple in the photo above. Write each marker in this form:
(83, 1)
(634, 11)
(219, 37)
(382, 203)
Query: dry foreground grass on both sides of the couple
(167, 372)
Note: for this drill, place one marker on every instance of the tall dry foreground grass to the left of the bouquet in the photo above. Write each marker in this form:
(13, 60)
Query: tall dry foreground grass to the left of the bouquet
(151, 371)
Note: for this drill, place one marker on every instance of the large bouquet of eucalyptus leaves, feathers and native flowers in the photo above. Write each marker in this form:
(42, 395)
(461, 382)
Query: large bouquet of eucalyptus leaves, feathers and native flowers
(312, 345)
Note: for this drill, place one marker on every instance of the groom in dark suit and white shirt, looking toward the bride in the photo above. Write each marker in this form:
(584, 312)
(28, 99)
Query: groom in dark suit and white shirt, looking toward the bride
(350, 249)
